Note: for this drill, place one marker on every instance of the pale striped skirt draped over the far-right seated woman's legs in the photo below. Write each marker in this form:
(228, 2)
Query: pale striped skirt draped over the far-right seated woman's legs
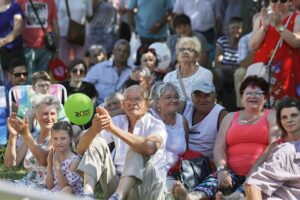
(279, 176)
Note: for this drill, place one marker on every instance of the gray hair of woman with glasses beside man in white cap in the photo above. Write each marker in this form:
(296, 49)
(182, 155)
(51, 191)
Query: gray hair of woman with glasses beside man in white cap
(159, 88)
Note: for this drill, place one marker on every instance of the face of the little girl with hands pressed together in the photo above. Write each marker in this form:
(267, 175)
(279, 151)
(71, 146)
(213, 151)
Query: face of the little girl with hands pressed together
(61, 140)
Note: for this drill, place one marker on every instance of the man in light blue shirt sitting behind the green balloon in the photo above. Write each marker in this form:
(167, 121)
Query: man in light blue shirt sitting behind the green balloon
(109, 76)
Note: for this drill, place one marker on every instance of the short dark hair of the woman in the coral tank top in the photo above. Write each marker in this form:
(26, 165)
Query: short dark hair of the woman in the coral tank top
(254, 81)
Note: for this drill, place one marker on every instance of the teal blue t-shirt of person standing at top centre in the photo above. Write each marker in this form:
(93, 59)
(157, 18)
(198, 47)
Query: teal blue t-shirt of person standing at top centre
(149, 12)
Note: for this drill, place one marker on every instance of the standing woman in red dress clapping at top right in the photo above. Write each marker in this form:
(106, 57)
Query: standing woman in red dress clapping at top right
(267, 31)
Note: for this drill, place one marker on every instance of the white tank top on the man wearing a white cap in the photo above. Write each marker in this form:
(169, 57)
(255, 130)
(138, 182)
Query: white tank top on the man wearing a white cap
(202, 136)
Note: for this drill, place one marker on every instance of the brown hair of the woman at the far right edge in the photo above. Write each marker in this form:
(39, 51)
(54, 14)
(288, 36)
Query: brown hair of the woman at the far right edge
(287, 102)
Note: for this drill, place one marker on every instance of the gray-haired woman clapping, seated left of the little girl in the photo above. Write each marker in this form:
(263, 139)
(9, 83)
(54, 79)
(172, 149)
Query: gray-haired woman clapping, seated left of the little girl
(32, 149)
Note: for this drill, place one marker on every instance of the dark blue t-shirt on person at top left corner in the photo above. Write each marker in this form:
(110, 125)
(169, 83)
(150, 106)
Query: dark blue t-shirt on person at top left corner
(7, 25)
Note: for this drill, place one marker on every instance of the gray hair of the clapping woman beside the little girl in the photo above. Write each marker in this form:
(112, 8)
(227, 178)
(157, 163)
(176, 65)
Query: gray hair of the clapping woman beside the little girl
(47, 99)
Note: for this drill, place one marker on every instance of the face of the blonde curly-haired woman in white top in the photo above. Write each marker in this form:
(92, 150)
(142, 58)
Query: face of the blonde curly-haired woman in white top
(186, 53)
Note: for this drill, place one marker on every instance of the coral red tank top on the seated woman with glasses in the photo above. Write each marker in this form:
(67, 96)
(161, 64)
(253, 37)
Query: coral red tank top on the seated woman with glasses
(245, 143)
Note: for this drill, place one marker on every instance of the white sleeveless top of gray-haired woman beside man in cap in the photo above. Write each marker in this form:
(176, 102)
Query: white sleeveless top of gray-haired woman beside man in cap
(176, 144)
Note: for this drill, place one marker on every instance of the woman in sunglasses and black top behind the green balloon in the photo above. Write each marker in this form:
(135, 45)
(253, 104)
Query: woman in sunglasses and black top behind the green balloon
(77, 71)
